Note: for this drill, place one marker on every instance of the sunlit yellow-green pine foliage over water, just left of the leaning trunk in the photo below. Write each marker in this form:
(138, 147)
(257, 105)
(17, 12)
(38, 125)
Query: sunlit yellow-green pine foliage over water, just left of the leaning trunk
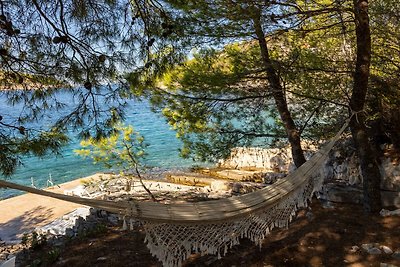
(217, 101)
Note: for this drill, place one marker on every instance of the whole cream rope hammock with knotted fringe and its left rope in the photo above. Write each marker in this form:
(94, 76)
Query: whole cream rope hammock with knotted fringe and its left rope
(175, 231)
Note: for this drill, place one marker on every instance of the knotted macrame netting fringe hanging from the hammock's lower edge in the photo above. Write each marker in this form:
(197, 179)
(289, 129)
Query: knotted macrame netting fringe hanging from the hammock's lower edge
(172, 243)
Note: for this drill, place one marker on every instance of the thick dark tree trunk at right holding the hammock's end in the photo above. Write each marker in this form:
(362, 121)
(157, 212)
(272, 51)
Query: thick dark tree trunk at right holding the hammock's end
(368, 159)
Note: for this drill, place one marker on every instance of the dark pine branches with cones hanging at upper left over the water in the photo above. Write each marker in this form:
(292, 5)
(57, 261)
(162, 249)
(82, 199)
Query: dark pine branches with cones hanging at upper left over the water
(86, 48)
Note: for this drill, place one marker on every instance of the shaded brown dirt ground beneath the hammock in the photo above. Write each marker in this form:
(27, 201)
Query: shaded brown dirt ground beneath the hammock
(322, 237)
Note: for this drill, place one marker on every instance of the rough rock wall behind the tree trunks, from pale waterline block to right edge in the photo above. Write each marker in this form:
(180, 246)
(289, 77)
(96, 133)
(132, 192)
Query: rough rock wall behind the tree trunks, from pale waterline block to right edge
(341, 172)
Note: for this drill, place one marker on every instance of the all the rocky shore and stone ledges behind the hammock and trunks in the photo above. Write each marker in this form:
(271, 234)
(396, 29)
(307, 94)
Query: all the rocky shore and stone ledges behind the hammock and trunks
(246, 170)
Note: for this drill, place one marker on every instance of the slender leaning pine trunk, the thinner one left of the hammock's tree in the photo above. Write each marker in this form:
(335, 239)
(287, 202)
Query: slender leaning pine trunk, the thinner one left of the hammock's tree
(277, 91)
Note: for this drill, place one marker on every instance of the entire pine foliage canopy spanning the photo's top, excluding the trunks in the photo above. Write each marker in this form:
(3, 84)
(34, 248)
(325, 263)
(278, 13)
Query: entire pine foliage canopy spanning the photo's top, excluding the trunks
(216, 100)
